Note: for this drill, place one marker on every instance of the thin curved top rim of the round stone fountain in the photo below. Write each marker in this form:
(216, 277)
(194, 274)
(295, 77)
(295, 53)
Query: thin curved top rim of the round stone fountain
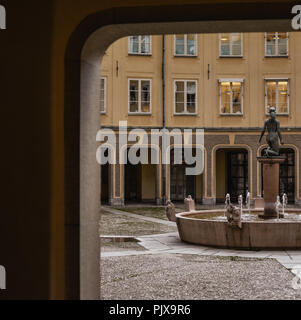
(183, 215)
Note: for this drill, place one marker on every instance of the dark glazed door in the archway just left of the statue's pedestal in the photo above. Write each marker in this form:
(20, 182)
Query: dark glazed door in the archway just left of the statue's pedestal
(237, 174)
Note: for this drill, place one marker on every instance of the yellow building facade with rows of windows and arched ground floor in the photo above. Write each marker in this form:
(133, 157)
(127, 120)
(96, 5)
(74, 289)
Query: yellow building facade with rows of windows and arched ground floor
(222, 83)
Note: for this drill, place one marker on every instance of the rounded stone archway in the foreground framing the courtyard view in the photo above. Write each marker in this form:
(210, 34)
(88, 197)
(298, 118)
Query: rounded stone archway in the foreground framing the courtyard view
(83, 58)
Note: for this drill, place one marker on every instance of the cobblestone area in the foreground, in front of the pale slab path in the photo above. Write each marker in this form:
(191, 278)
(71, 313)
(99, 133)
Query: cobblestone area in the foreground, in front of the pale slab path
(191, 277)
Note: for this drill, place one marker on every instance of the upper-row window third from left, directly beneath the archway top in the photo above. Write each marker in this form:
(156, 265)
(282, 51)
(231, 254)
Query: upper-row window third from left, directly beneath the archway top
(231, 44)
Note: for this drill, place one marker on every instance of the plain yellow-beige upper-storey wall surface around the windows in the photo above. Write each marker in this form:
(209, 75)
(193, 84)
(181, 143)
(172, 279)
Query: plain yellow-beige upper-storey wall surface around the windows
(253, 68)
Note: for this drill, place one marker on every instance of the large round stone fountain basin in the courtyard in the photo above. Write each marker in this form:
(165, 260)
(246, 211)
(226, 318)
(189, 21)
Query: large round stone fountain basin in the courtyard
(254, 235)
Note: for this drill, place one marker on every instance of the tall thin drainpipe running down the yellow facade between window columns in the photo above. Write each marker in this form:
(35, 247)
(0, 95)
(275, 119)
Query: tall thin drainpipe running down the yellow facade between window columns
(163, 115)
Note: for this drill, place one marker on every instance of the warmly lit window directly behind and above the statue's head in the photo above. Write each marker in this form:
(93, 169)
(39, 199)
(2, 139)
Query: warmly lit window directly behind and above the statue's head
(277, 95)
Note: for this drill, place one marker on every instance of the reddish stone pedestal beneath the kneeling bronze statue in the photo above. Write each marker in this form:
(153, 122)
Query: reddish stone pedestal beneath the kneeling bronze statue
(270, 185)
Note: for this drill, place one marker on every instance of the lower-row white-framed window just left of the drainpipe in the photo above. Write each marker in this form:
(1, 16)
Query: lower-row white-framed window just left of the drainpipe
(139, 96)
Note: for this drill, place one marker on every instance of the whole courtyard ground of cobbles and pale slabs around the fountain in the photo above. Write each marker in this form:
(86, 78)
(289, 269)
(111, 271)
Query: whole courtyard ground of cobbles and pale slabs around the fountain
(159, 266)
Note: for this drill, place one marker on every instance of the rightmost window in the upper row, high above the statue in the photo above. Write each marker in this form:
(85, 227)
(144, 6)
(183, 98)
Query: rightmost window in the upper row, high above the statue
(276, 44)
